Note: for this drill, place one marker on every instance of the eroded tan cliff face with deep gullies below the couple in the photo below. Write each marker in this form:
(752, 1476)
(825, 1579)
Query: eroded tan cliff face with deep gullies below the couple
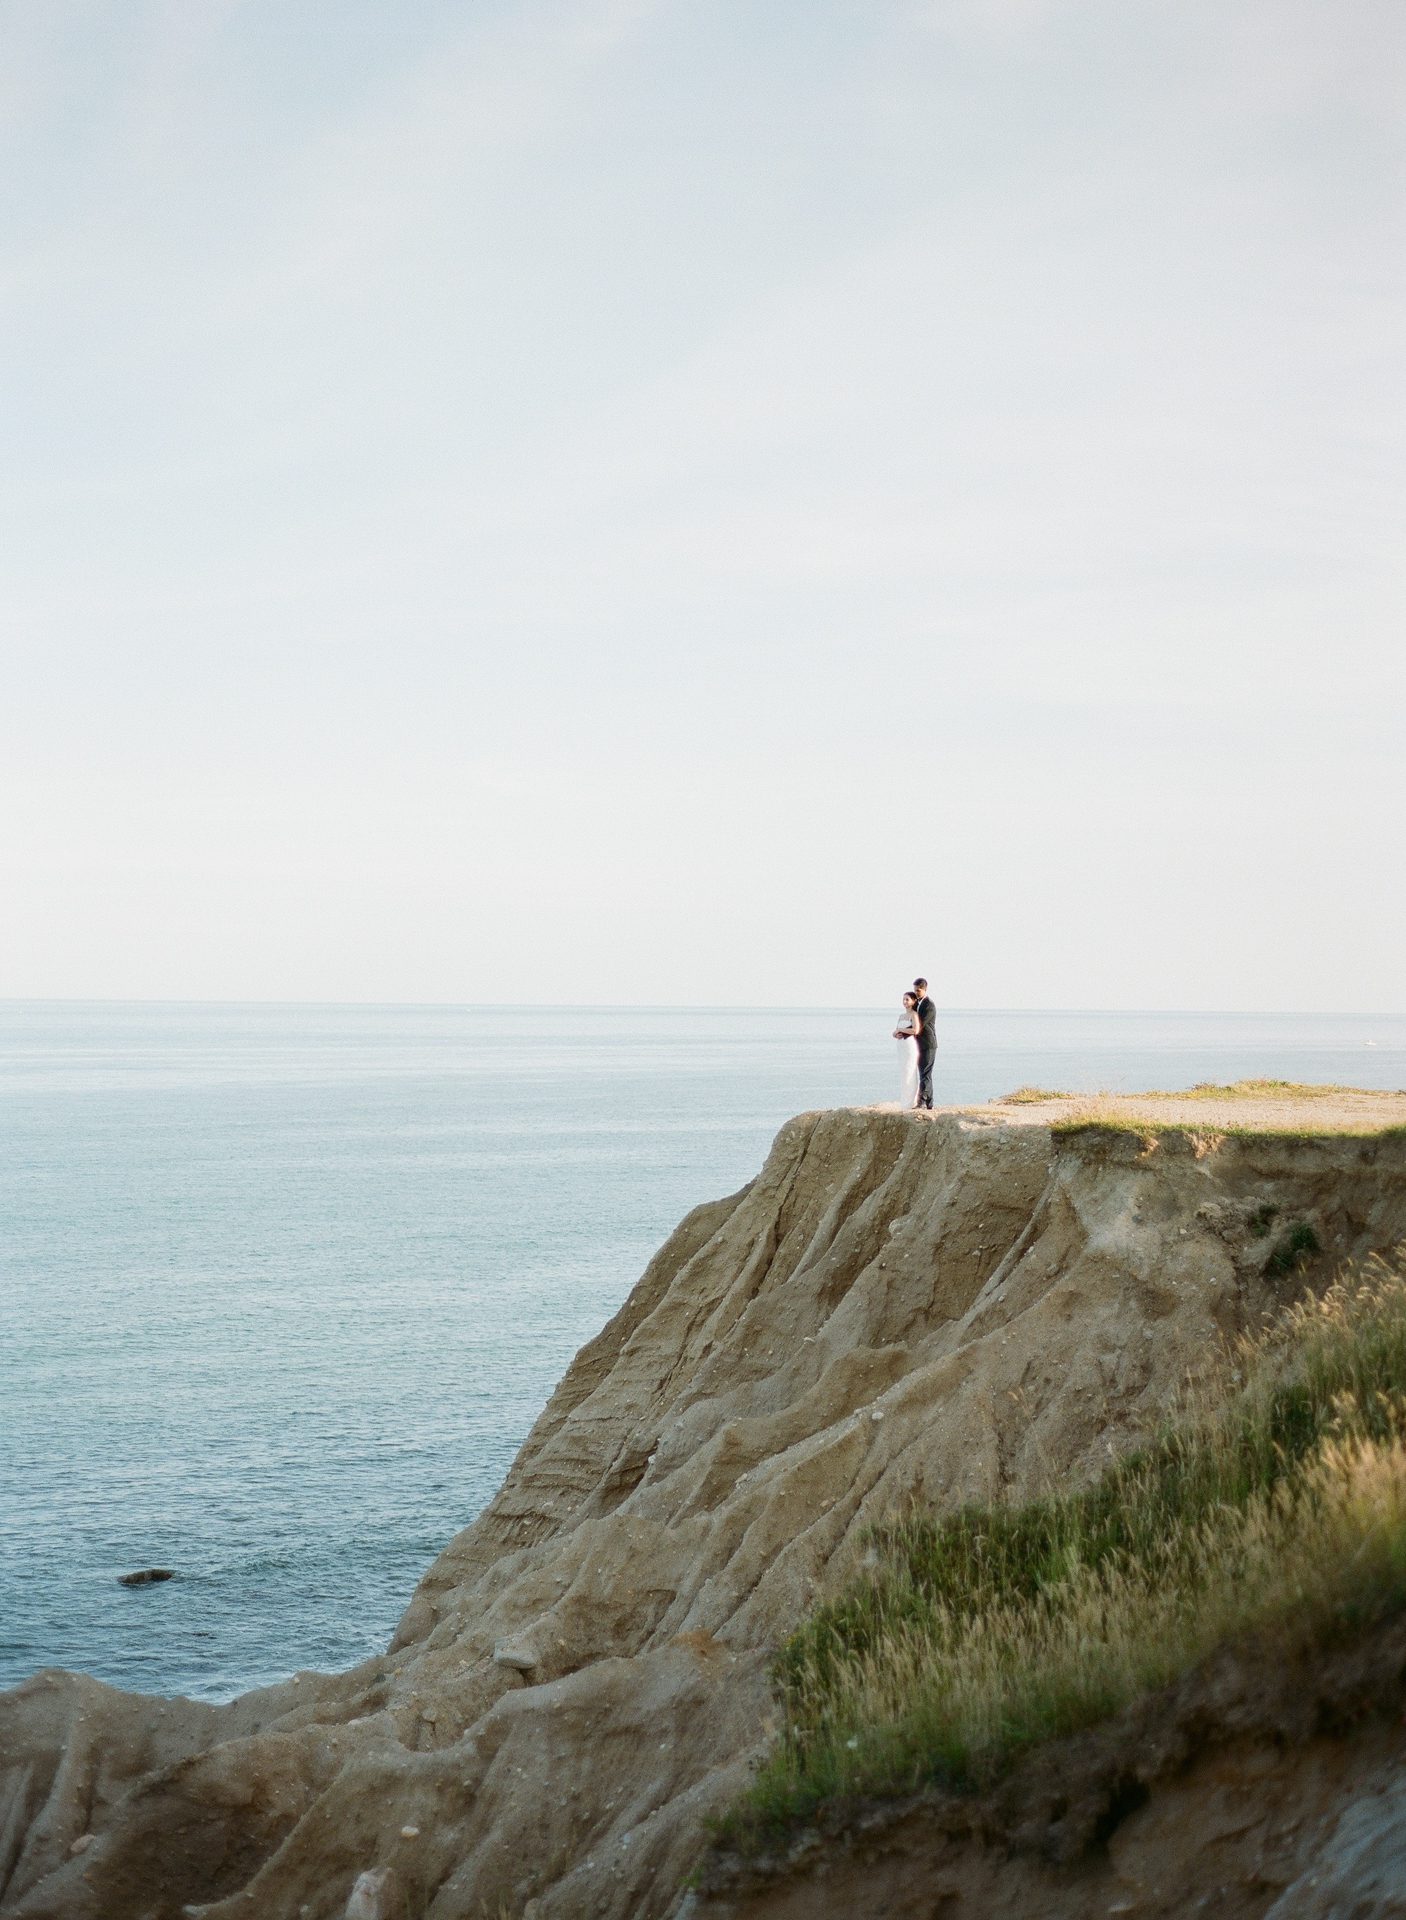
(900, 1307)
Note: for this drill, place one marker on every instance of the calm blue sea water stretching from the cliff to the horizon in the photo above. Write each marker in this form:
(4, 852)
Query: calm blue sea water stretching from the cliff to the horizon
(283, 1287)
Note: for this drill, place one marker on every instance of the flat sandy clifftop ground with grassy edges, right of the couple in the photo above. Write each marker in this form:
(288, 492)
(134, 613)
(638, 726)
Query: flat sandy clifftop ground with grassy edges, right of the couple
(1251, 1107)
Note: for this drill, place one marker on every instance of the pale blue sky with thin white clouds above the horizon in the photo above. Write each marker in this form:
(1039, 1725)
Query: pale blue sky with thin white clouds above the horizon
(704, 502)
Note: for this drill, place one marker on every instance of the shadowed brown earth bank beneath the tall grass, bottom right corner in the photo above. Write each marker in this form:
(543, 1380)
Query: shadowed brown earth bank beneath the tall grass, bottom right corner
(1255, 1788)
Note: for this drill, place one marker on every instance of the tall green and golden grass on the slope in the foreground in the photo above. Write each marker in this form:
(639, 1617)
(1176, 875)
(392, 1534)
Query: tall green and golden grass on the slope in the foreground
(990, 1631)
